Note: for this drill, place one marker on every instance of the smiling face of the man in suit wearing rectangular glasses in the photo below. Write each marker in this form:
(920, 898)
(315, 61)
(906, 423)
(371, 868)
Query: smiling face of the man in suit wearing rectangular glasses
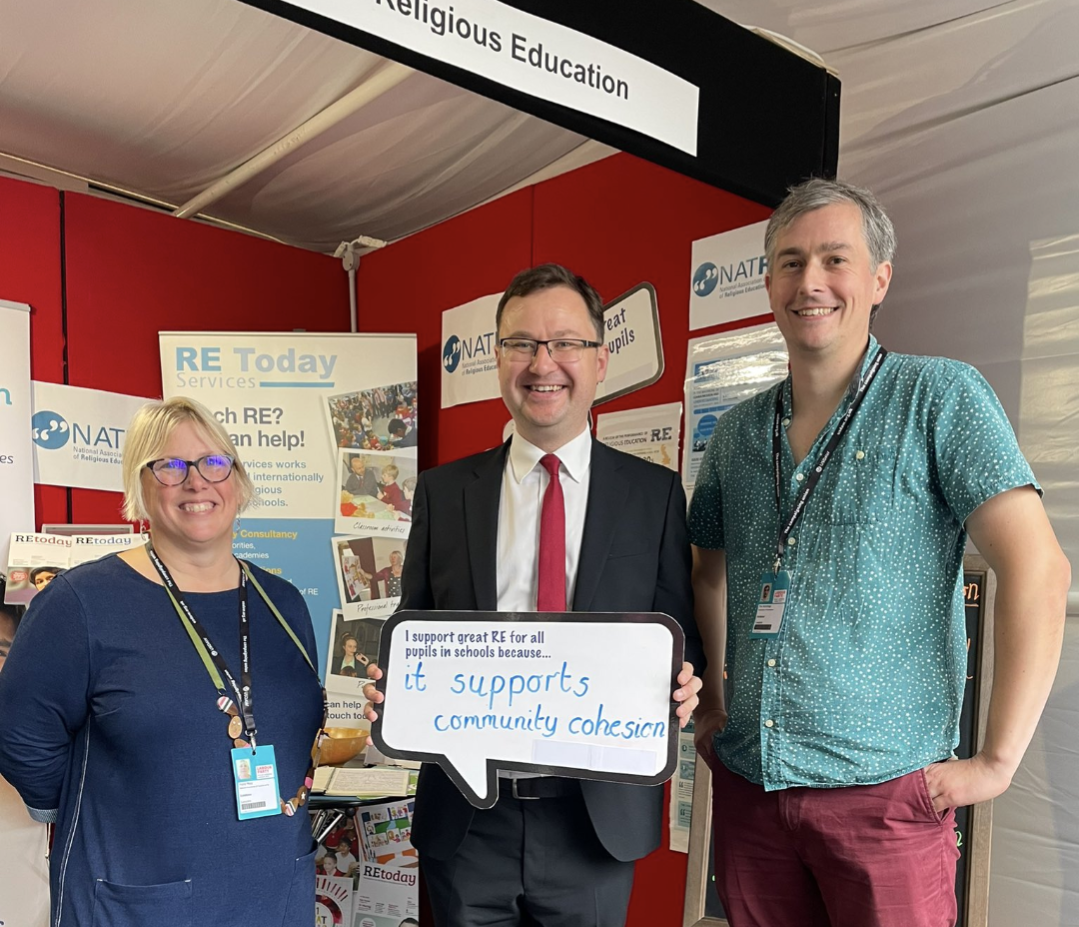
(550, 402)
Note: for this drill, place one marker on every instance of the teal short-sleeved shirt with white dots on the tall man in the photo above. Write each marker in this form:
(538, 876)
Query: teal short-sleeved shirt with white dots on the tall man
(865, 681)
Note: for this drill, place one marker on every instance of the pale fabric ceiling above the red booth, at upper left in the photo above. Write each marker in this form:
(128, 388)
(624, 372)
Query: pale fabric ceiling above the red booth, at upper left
(165, 99)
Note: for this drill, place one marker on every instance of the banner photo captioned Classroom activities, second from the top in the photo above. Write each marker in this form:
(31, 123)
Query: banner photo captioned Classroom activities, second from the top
(376, 493)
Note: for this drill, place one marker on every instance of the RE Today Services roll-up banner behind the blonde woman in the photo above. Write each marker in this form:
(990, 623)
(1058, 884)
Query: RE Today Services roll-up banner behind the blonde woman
(302, 408)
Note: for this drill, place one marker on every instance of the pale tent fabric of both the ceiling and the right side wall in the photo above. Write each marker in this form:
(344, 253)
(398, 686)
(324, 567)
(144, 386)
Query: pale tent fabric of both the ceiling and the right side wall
(963, 115)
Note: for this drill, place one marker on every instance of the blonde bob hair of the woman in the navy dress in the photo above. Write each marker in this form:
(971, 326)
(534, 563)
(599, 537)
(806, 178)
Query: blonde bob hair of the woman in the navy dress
(147, 437)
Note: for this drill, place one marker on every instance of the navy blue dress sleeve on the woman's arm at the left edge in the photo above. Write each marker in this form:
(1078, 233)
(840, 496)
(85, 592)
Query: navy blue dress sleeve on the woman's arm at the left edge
(44, 697)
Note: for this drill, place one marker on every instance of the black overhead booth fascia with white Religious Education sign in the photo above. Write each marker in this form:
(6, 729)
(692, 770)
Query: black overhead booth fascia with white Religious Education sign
(673, 83)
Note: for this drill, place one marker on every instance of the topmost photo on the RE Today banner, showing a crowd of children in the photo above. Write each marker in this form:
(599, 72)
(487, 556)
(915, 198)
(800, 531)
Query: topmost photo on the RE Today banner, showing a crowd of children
(376, 420)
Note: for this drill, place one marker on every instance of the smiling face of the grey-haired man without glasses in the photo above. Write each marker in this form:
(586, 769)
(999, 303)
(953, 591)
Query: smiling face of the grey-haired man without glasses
(823, 284)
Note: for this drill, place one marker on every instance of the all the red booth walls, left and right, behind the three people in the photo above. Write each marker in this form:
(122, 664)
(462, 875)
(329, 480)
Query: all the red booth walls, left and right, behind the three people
(112, 277)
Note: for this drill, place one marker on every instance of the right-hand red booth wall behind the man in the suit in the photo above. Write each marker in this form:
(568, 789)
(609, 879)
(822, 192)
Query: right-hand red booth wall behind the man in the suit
(619, 223)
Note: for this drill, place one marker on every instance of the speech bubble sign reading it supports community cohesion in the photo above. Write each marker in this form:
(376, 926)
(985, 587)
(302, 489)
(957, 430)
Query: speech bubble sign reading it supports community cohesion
(578, 694)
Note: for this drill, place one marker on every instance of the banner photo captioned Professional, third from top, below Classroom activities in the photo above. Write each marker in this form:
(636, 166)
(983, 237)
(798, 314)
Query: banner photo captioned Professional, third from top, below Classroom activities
(370, 569)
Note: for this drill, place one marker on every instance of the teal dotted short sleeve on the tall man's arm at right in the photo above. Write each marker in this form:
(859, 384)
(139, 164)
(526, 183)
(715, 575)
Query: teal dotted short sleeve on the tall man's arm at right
(976, 449)
